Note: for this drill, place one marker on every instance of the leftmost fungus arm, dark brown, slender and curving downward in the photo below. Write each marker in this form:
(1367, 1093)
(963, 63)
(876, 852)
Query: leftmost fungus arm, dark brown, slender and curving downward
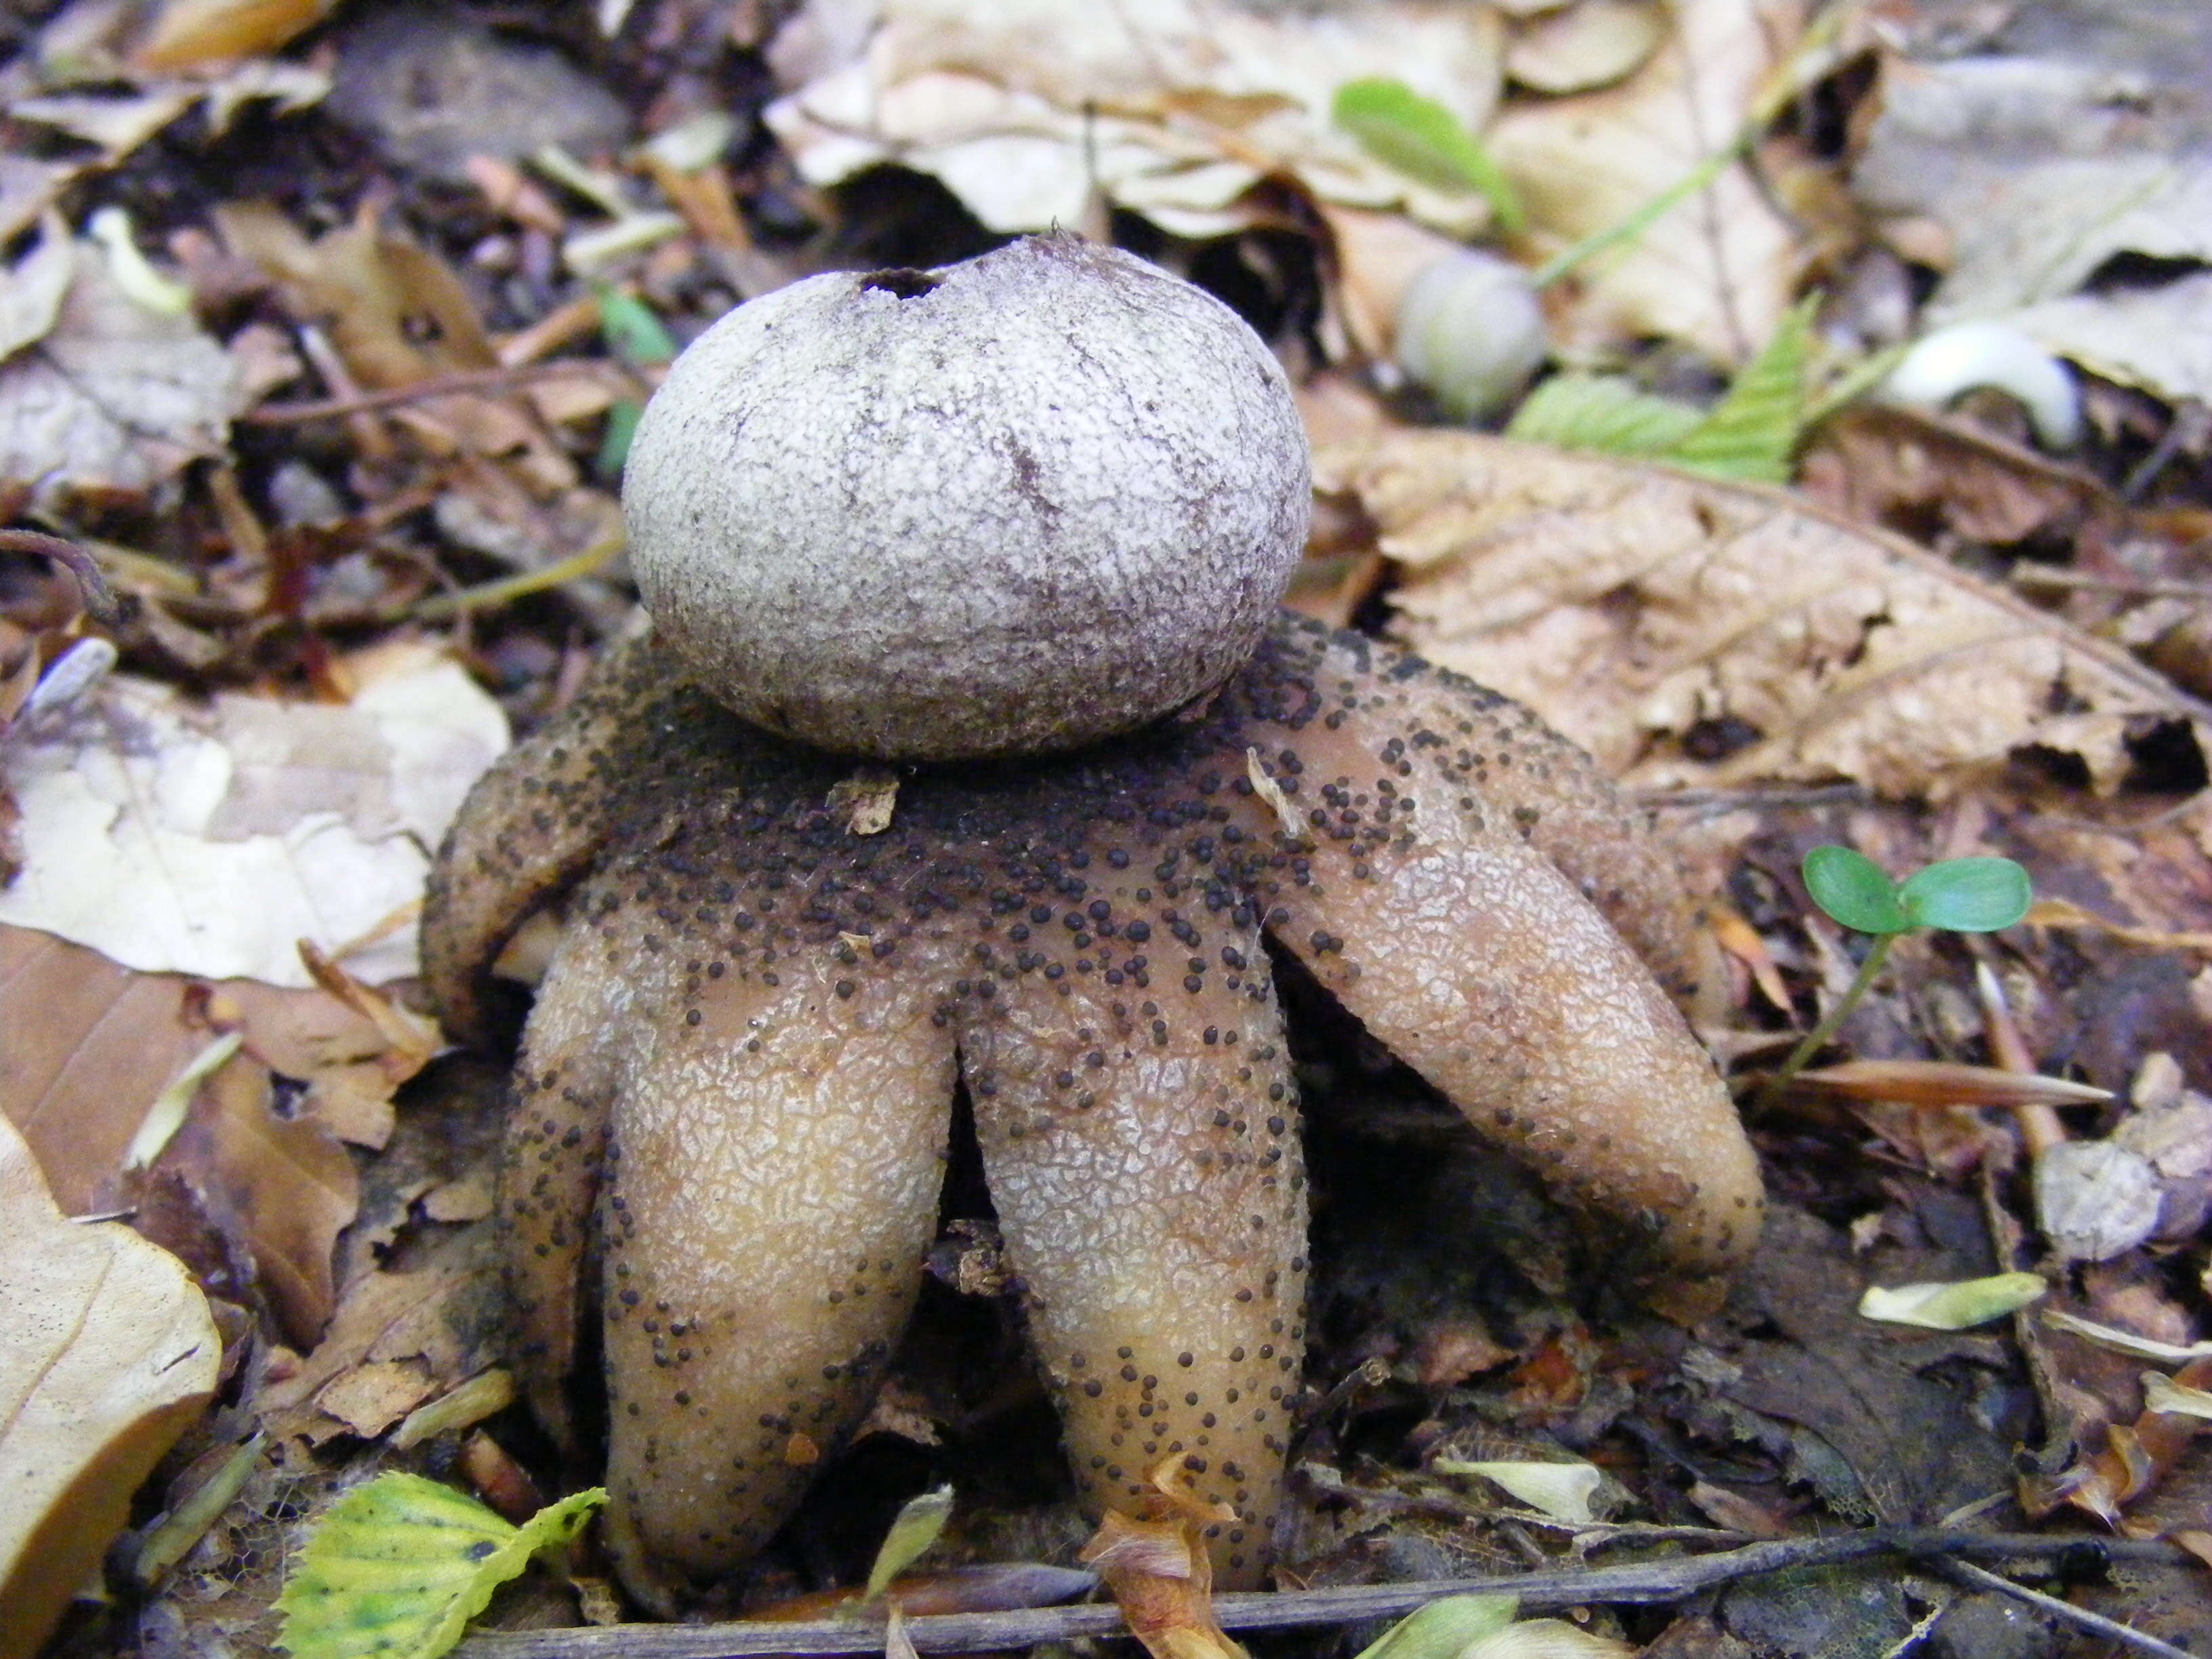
(532, 828)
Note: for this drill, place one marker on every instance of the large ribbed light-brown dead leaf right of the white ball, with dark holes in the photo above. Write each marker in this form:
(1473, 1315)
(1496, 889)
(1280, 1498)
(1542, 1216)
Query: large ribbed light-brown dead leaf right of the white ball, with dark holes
(1700, 634)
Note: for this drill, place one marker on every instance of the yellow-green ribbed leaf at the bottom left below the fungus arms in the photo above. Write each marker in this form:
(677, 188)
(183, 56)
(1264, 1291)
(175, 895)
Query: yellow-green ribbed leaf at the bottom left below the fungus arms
(401, 1565)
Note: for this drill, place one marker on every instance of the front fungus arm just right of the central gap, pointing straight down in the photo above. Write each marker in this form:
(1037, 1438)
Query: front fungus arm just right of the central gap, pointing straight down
(1142, 1149)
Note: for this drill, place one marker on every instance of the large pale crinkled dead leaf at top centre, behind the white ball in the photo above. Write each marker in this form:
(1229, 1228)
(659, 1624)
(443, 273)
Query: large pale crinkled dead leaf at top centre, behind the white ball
(1171, 107)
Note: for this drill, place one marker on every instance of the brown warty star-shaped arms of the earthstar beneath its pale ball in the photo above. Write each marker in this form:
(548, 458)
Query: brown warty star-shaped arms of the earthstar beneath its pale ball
(738, 1081)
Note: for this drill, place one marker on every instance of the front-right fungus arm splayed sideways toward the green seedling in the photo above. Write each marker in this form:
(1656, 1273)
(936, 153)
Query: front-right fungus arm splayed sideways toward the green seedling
(1485, 970)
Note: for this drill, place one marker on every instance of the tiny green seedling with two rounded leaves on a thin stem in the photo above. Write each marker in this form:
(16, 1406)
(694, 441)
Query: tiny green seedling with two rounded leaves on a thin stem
(1954, 895)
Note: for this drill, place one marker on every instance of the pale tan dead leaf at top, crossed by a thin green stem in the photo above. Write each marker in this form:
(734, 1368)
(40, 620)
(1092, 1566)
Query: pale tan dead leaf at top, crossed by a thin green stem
(1718, 269)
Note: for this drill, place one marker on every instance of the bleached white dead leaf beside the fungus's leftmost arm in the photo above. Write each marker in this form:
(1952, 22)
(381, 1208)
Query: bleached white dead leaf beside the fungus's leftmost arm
(211, 839)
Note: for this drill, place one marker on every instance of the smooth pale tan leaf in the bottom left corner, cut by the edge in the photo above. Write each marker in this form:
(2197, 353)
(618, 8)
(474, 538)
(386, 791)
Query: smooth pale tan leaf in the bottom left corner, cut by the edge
(107, 1357)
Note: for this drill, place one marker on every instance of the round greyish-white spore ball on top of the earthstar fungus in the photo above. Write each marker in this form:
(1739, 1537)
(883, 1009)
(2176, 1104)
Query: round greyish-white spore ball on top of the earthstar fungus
(1003, 508)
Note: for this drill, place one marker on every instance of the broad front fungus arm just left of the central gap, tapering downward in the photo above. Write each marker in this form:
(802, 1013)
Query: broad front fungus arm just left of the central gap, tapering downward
(773, 1189)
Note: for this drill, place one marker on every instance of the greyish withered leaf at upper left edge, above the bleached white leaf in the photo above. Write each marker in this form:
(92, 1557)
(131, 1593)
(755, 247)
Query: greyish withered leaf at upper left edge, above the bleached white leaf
(112, 395)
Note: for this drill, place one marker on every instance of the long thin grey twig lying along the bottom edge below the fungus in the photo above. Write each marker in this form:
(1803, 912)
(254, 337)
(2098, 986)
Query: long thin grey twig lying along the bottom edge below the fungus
(1642, 1583)
